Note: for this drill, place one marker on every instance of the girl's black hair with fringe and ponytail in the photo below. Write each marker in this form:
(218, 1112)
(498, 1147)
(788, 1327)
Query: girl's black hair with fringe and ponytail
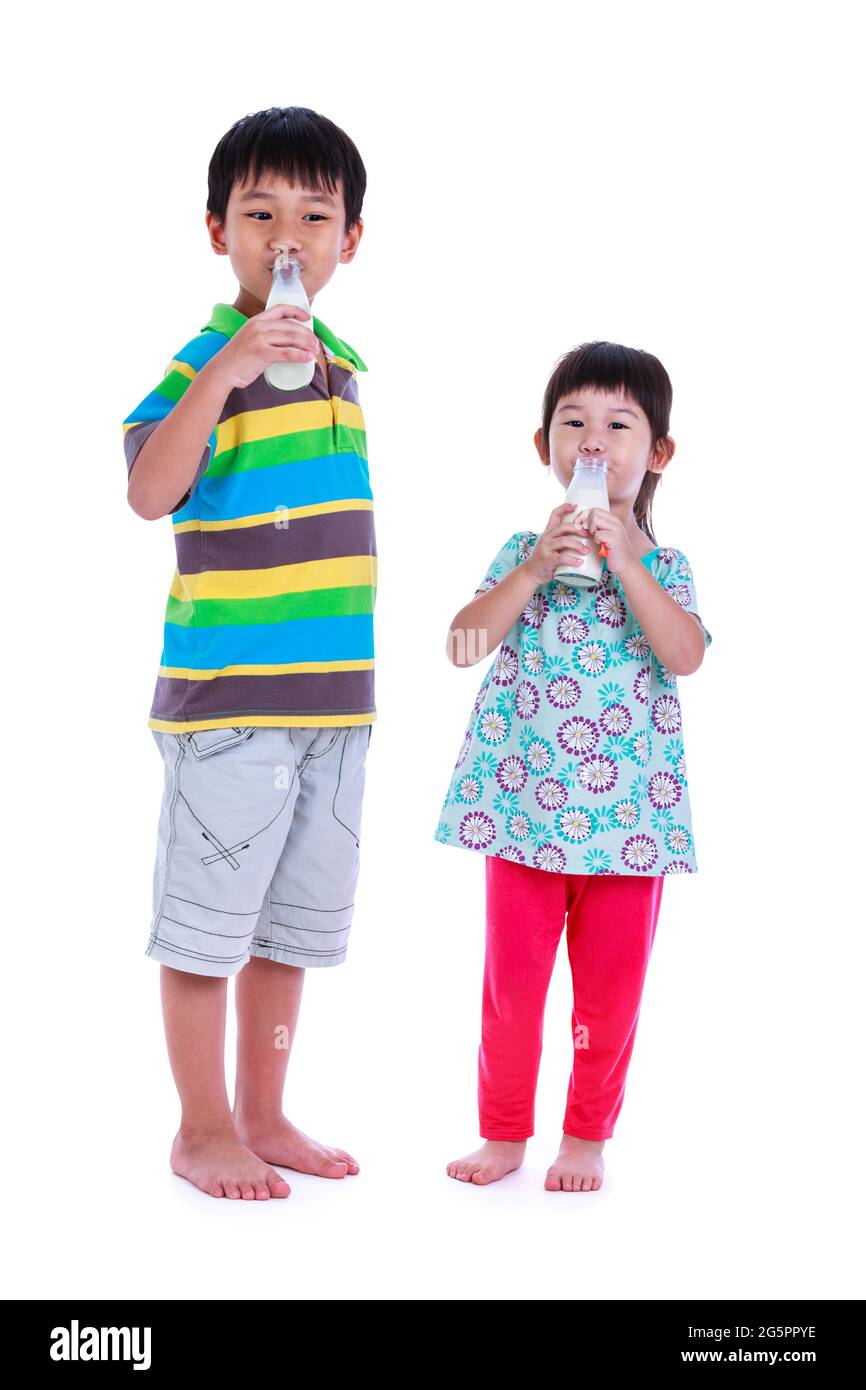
(615, 368)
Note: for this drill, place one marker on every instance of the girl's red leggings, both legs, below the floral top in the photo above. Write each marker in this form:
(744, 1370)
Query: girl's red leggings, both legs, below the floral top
(611, 929)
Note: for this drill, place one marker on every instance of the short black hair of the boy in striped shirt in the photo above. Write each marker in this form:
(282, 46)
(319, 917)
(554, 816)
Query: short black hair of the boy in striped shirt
(293, 142)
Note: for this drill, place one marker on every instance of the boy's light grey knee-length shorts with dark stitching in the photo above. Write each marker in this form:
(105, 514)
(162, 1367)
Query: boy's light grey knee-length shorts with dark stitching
(259, 846)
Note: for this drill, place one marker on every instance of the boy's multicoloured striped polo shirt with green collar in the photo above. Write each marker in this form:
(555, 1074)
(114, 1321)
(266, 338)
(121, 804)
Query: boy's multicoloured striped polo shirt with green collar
(270, 610)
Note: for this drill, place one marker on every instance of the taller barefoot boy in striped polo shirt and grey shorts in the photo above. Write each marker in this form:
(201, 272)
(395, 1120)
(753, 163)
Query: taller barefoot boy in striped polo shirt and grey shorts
(265, 698)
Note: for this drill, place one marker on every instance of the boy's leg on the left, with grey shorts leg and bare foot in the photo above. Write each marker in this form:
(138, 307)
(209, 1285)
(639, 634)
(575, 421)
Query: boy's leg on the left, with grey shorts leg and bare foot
(223, 826)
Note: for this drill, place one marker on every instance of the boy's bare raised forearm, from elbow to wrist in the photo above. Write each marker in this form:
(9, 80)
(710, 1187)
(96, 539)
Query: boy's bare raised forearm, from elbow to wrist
(176, 452)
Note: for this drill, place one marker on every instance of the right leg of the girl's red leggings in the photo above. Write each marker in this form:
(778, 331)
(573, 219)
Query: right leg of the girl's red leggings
(611, 928)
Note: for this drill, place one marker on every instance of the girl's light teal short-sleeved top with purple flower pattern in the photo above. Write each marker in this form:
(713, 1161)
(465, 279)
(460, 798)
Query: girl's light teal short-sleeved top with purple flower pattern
(573, 760)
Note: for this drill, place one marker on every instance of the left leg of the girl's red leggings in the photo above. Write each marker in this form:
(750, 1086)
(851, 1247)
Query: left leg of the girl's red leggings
(526, 913)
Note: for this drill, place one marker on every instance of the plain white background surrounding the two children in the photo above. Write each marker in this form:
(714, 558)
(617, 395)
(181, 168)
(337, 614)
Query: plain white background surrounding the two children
(676, 177)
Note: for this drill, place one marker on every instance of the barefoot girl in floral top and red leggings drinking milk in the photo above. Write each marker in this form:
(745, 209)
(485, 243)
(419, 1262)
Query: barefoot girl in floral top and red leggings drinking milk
(572, 776)
